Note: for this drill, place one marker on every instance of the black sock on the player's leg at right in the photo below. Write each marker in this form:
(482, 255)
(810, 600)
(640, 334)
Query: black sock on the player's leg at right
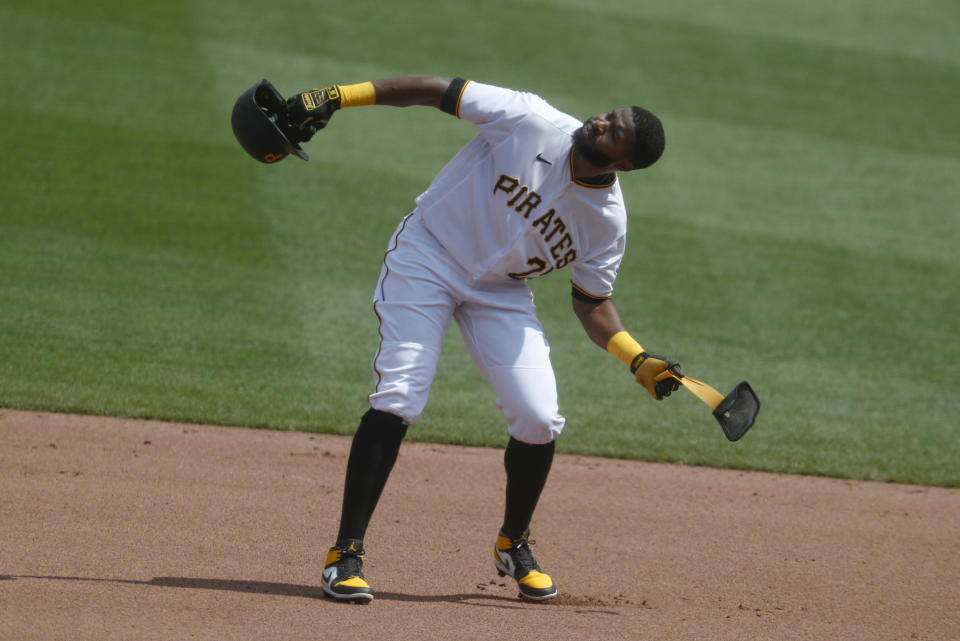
(527, 469)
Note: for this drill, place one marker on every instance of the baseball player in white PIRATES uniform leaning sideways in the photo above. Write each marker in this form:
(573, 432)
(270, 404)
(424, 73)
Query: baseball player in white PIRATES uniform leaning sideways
(535, 191)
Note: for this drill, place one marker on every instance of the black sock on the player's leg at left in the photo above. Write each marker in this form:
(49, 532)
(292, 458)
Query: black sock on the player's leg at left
(372, 455)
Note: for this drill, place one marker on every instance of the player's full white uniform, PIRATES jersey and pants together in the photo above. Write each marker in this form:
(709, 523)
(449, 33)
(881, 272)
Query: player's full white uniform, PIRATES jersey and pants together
(506, 208)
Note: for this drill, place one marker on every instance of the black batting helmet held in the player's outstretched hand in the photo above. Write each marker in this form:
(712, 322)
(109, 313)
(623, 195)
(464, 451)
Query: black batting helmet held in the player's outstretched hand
(259, 122)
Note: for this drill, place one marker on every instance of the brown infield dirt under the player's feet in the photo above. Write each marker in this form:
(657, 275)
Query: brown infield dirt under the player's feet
(122, 529)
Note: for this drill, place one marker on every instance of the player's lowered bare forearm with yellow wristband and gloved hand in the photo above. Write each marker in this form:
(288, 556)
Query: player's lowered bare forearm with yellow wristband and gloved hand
(602, 324)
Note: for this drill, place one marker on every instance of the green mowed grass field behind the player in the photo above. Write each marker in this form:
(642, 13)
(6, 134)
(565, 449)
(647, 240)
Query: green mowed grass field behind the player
(801, 231)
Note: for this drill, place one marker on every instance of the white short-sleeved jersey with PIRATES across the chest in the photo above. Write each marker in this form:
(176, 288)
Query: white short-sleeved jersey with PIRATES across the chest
(507, 206)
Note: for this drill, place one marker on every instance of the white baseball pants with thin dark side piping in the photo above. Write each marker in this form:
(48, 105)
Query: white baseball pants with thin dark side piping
(421, 288)
